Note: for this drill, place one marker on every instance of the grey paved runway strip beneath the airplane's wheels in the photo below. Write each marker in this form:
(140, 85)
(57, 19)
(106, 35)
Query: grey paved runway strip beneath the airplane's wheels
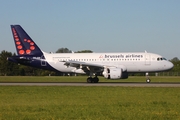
(127, 84)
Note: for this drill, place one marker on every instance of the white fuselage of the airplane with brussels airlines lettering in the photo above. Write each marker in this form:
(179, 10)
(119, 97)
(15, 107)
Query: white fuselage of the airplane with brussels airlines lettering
(130, 62)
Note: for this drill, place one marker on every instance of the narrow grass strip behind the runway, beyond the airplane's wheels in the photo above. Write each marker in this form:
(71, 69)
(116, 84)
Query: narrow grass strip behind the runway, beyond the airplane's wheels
(83, 79)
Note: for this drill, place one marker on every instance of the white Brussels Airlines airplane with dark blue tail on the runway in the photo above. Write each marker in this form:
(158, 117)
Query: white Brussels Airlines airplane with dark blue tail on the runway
(110, 65)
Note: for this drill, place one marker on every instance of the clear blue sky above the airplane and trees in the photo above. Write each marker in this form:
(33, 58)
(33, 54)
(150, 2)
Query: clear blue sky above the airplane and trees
(97, 25)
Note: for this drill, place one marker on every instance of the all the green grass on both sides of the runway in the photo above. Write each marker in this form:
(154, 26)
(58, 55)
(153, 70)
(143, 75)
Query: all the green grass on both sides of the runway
(72, 102)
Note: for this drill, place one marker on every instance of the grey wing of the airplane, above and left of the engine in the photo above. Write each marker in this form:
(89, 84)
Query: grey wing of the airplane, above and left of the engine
(86, 67)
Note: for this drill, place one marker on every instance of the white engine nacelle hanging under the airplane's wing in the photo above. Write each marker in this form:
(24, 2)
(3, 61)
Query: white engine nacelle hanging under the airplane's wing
(115, 73)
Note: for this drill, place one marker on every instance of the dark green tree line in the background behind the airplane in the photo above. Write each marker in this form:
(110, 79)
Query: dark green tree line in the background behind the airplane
(8, 68)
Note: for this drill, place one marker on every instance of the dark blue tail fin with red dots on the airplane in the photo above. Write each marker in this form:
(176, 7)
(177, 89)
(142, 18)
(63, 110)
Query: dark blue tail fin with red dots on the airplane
(24, 44)
